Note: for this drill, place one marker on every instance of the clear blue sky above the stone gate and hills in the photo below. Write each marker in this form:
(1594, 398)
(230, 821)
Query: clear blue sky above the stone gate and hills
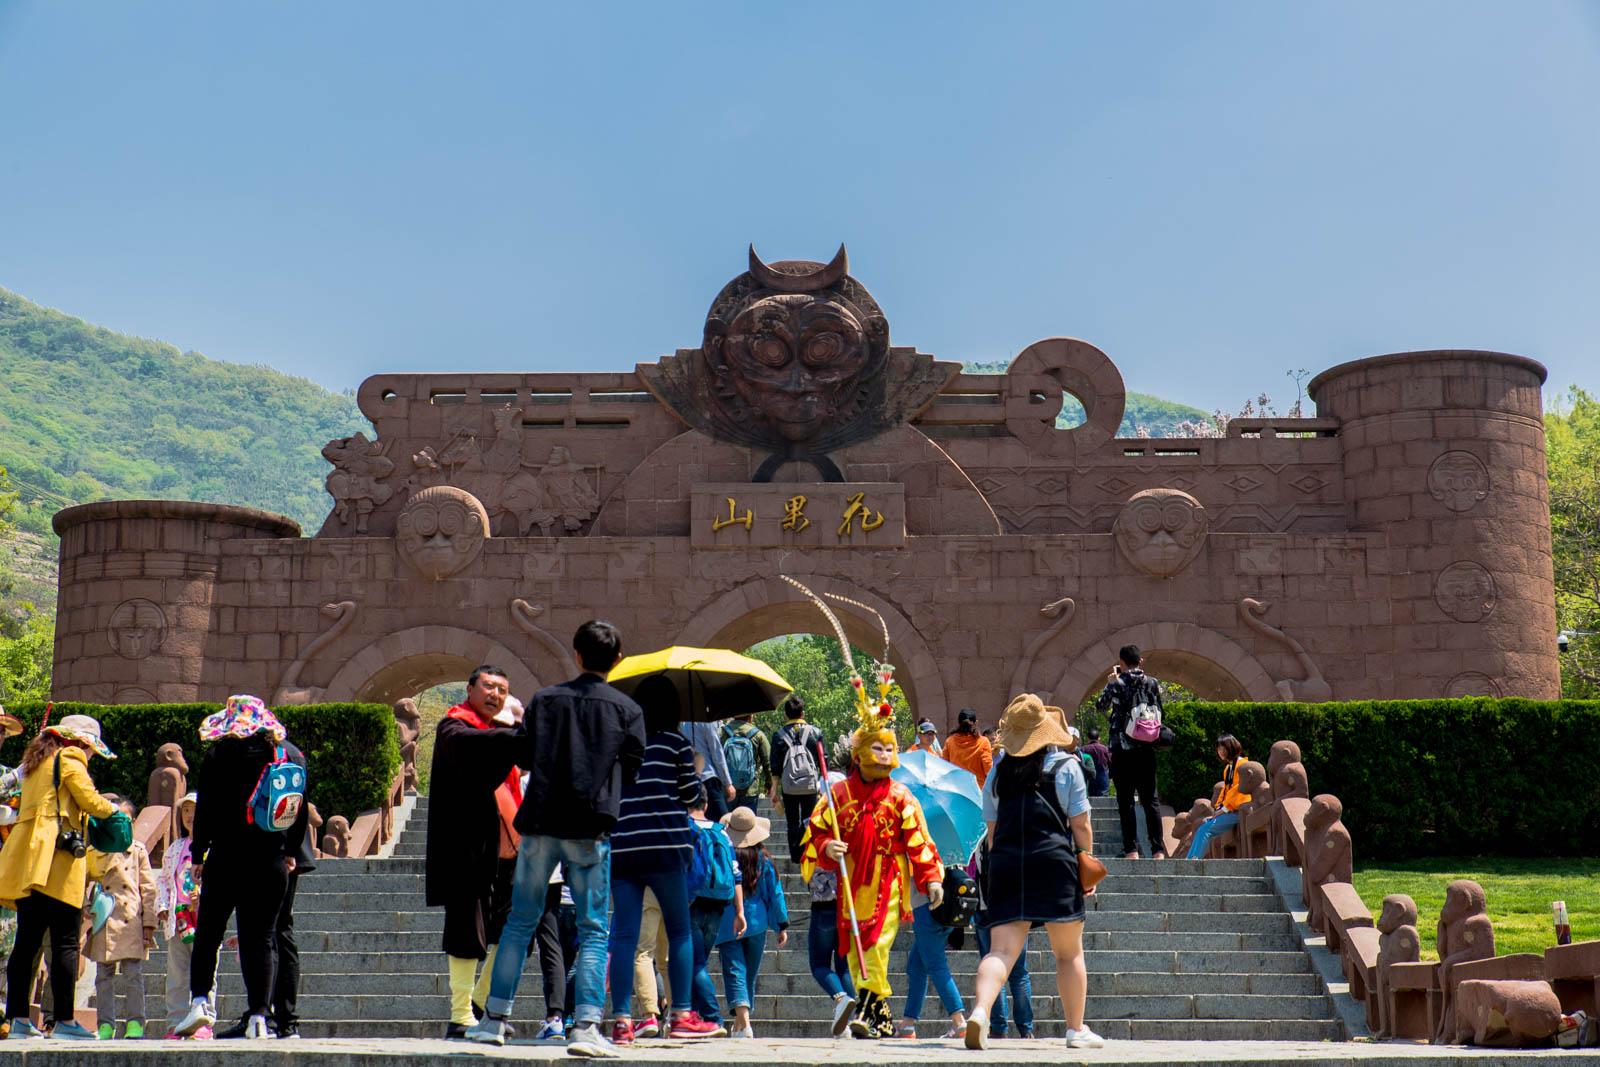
(1212, 193)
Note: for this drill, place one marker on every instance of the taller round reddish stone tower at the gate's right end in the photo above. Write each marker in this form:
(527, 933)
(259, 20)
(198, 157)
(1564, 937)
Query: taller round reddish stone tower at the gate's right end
(1444, 452)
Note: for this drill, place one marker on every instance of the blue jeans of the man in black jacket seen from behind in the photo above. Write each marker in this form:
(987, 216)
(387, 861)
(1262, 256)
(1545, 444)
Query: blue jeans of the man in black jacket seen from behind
(586, 866)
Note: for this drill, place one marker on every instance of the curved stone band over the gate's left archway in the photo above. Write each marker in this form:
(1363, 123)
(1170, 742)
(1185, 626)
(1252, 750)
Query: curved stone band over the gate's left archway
(409, 661)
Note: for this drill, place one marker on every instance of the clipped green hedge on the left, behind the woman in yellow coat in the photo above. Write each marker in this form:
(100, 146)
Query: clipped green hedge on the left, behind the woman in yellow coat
(351, 751)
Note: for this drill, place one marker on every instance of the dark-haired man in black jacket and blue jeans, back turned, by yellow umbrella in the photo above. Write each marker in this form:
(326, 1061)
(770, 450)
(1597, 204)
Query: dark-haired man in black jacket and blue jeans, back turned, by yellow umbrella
(580, 741)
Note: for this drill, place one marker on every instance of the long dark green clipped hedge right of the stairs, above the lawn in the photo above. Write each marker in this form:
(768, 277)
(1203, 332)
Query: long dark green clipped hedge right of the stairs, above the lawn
(1420, 778)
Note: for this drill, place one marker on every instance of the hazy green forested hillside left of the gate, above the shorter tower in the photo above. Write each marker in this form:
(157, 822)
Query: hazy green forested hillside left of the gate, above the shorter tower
(94, 415)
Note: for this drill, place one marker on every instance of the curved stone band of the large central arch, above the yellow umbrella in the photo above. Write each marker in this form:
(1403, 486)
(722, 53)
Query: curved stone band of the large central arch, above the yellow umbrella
(769, 607)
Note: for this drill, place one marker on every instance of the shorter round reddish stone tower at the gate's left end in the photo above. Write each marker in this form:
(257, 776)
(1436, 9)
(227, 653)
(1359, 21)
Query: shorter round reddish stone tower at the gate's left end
(137, 618)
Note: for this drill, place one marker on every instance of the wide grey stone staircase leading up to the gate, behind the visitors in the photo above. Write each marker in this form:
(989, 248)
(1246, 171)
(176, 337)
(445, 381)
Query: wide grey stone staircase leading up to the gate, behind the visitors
(1177, 951)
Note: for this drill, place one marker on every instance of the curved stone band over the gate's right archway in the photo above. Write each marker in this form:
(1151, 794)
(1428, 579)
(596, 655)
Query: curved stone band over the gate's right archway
(1201, 660)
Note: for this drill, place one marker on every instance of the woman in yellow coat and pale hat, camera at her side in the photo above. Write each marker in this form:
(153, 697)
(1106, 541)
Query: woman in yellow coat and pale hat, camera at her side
(44, 877)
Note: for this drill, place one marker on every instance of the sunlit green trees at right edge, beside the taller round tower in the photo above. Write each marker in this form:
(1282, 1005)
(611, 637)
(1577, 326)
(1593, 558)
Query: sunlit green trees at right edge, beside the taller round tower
(1574, 442)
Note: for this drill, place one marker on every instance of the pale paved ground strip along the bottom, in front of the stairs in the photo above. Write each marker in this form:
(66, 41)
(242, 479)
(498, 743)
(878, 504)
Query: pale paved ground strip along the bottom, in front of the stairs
(842, 1053)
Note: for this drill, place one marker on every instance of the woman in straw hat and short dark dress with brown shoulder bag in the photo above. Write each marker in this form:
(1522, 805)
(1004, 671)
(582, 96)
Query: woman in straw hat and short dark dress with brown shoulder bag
(1038, 810)
